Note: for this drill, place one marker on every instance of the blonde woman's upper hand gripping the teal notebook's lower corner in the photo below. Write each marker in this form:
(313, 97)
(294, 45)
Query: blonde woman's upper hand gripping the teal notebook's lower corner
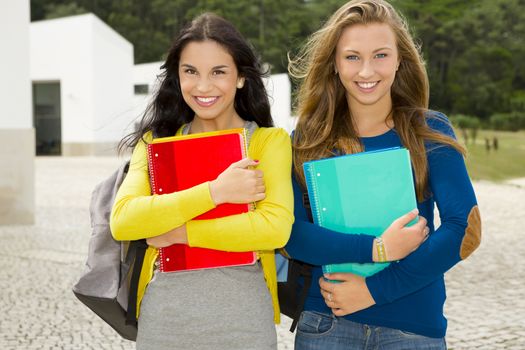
(400, 240)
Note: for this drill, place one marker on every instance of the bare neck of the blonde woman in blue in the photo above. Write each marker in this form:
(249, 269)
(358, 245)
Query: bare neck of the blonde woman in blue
(371, 120)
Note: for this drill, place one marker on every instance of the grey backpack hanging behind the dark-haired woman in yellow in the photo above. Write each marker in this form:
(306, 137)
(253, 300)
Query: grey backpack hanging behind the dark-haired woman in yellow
(109, 283)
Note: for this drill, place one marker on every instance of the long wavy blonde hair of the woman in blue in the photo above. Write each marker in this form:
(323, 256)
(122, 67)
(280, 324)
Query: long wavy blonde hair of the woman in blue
(325, 121)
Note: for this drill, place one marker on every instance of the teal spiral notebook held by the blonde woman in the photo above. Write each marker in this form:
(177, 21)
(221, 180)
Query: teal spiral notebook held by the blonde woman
(360, 193)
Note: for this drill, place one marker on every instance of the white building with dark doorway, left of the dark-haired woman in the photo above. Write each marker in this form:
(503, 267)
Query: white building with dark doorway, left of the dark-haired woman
(82, 84)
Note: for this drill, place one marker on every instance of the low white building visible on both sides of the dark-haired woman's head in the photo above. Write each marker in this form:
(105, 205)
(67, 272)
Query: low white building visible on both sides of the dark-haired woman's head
(277, 85)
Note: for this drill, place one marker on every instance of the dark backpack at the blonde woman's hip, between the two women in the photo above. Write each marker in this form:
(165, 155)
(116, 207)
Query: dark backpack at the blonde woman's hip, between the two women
(291, 293)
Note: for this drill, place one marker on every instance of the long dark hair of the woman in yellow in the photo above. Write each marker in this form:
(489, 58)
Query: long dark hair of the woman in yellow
(168, 111)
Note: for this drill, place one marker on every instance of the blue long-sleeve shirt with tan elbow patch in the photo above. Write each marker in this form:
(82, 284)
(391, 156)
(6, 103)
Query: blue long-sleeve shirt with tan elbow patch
(409, 294)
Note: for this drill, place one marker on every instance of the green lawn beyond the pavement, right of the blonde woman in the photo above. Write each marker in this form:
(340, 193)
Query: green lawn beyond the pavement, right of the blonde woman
(505, 163)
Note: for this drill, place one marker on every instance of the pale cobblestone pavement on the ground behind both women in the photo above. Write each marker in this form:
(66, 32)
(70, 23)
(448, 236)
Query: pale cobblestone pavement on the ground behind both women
(39, 264)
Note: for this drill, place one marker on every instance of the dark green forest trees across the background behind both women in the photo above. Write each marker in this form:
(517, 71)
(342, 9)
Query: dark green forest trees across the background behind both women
(473, 49)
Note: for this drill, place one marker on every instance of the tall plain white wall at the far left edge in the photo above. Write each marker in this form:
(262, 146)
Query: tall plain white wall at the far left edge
(17, 140)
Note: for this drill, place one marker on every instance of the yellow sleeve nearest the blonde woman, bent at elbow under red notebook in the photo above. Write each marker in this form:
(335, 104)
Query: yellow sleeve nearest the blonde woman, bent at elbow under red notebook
(268, 226)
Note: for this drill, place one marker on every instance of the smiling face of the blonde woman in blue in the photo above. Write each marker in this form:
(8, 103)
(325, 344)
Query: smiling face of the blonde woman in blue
(366, 61)
